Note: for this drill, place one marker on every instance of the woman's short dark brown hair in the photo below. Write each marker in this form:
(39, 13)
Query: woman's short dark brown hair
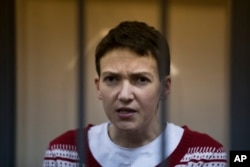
(139, 38)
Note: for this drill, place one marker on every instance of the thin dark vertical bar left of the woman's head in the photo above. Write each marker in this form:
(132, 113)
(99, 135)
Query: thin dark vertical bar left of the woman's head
(81, 81)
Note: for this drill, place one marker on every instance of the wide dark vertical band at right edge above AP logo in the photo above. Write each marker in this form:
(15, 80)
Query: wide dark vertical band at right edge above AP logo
(240, 75)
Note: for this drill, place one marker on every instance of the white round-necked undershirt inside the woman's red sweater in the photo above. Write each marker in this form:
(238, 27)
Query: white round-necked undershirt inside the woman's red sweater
(109, 154)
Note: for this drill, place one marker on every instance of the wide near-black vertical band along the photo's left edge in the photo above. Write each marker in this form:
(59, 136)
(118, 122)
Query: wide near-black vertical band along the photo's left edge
(8, 83)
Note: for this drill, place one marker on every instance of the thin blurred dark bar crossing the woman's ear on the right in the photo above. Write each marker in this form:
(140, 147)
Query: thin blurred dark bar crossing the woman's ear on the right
(163, 68)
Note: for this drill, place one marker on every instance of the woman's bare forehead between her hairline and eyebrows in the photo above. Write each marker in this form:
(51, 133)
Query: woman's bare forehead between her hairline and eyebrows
(125, 60)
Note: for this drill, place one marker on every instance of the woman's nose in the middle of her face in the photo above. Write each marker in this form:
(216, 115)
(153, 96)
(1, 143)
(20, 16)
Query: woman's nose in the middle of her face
(126, 94)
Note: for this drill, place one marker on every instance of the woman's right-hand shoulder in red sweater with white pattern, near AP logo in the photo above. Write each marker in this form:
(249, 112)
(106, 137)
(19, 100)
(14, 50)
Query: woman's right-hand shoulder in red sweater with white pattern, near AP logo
(201, 149)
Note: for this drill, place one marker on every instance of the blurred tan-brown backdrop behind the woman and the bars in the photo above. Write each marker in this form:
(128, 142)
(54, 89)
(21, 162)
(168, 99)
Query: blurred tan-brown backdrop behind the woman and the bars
(47, 59)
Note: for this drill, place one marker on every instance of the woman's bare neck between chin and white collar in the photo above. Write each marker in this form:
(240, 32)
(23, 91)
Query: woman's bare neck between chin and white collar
(135, 138)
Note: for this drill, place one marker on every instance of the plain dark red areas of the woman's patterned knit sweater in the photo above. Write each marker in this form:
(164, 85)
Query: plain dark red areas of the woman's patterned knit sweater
(190, 139)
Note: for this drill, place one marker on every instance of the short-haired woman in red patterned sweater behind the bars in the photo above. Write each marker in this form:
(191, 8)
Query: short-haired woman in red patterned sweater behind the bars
(131, 84)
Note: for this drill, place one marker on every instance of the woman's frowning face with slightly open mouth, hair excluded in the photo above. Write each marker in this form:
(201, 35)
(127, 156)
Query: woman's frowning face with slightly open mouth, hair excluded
(130, 89)
